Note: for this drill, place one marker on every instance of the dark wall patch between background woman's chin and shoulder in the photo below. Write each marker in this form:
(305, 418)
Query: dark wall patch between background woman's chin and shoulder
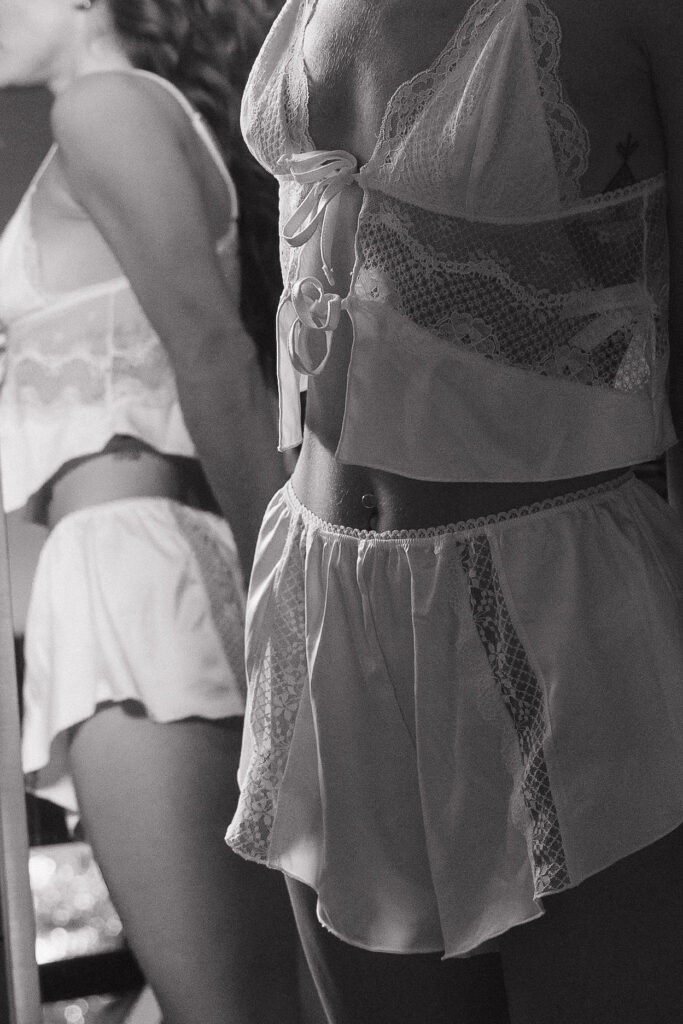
(25, 139)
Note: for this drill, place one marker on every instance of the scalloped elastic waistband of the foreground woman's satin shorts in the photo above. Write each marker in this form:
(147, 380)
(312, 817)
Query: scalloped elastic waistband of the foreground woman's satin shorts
(465, 528)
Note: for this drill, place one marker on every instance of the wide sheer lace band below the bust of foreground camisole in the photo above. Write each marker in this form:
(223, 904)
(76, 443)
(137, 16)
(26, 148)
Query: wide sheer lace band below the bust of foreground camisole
(579, 297)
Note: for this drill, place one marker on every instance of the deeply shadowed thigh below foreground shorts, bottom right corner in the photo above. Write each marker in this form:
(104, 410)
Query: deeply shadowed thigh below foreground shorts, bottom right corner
(608, 952)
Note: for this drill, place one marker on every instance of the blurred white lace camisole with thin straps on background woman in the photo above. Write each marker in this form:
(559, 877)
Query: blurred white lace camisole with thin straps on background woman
(87, 365)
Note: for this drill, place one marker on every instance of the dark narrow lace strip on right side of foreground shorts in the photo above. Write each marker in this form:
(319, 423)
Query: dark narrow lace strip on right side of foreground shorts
(524, 699)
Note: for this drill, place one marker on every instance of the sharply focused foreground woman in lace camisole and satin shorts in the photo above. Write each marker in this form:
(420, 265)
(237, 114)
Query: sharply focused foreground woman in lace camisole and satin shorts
(465, 623)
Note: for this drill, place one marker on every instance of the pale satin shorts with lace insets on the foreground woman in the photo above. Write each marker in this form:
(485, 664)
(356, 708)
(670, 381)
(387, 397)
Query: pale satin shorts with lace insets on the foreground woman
(448, 727)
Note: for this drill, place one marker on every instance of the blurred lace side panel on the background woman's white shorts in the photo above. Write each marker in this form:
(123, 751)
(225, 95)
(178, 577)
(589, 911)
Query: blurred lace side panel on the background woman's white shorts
(218, 563)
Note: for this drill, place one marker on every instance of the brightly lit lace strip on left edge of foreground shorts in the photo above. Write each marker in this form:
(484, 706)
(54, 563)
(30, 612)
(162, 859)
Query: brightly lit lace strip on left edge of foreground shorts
(281, 676)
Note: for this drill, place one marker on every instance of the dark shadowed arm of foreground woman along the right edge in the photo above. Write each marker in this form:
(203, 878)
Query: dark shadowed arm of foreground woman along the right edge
(662, 30)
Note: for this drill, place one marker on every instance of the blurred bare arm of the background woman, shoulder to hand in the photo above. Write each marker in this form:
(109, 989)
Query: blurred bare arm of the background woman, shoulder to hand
(126, 163)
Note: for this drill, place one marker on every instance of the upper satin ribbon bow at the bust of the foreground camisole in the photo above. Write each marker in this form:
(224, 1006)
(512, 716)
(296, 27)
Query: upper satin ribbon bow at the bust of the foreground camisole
(330, 172)
